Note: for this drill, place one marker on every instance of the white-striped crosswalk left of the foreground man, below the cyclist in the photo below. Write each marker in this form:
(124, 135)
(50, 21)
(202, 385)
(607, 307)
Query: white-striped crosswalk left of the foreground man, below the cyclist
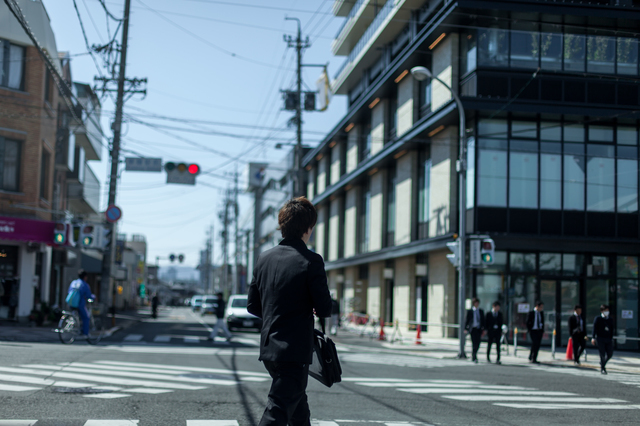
(114, 379)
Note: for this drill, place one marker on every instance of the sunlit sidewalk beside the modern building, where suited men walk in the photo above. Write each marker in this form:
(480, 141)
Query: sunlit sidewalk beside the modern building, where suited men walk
(447, 348)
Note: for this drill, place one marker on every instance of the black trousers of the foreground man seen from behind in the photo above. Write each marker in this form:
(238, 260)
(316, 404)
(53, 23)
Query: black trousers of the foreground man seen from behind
(287, 404)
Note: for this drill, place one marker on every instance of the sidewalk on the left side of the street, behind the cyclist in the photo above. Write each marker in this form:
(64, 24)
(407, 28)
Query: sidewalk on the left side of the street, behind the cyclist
(11, 331)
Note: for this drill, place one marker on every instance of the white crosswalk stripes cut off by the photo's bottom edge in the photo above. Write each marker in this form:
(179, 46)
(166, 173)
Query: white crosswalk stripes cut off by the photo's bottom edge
(127, 422)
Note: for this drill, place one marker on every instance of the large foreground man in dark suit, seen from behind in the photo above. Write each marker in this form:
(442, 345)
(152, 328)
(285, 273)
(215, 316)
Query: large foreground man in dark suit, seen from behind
(289, 284)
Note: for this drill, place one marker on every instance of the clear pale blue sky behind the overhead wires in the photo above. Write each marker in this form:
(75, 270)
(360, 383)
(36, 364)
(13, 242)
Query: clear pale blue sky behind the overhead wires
(215, 70)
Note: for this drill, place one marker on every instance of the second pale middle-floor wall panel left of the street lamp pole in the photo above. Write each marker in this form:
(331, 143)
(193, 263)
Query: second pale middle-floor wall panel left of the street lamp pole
(406, 168)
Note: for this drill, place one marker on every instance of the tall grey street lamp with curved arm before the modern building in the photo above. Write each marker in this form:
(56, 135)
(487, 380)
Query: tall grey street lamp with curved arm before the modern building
(420, 74)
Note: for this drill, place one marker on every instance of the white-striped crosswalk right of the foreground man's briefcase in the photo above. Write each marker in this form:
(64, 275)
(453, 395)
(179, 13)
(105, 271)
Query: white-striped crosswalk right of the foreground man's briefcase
(498, 395)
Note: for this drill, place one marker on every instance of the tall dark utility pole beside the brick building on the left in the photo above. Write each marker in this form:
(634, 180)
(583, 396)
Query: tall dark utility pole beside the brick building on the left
(108, 258)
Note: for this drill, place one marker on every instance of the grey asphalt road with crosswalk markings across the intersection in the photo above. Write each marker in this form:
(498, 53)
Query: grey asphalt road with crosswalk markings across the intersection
(166, 372)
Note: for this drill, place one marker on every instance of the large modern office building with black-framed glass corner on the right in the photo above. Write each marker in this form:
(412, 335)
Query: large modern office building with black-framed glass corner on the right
(550, 93)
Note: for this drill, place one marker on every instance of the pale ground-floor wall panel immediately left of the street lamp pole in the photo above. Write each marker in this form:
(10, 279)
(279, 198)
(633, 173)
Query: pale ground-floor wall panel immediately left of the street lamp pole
(442, 294)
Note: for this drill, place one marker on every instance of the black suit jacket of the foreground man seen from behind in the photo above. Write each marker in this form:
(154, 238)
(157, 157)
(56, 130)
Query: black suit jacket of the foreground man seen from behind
(289, 282)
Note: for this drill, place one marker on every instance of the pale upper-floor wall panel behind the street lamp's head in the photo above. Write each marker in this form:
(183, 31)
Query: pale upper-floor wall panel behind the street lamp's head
(444, 64)
